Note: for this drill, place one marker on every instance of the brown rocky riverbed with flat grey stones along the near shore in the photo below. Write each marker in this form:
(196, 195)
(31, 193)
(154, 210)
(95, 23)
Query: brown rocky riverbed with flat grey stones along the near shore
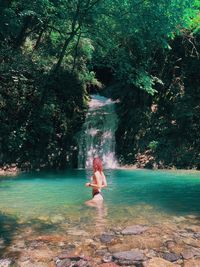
(170, 243)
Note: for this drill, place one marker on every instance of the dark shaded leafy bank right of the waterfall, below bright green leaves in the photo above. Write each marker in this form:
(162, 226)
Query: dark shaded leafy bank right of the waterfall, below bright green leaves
(163, 130)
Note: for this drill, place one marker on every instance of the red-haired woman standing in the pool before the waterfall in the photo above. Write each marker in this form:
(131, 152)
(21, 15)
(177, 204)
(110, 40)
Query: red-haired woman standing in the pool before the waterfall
(98, 182)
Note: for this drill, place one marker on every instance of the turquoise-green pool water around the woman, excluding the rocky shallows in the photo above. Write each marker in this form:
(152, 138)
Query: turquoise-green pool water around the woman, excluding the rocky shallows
(59, 198)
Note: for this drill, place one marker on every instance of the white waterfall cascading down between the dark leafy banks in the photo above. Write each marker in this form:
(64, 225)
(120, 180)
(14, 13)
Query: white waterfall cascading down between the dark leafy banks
(97, 137)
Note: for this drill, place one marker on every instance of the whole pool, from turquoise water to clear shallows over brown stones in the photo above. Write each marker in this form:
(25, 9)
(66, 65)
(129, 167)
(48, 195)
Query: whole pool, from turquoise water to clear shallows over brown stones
(43, 215)
